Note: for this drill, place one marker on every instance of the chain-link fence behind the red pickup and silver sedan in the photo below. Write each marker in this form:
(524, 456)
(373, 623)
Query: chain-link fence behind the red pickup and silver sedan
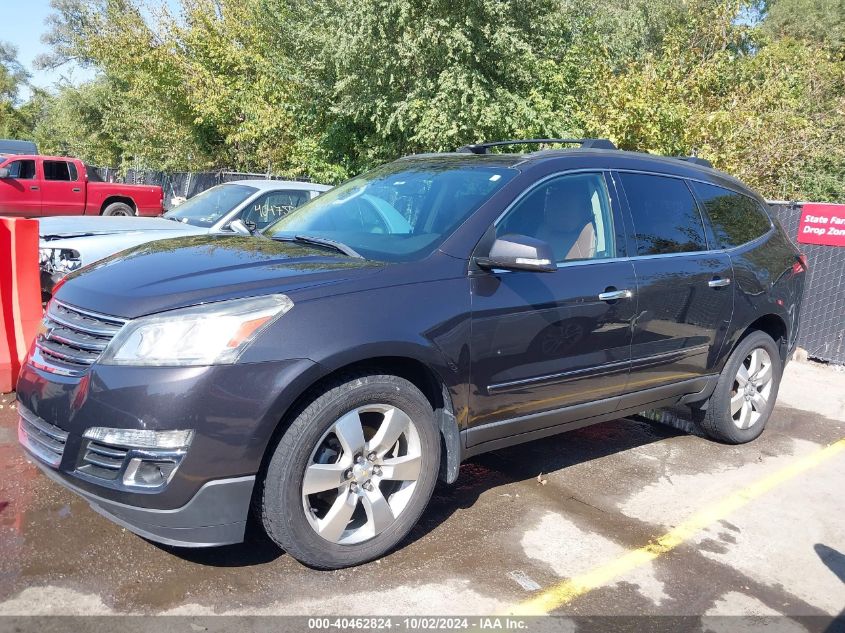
(175, 184)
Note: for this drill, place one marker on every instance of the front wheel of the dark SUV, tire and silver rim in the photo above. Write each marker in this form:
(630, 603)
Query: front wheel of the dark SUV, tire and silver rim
(365, 511)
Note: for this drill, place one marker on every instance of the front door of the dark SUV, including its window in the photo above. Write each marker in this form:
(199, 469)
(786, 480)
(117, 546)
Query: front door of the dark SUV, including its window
(546, 347)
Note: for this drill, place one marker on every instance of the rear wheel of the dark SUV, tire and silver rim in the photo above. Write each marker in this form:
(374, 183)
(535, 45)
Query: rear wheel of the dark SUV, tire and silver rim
(741, 403)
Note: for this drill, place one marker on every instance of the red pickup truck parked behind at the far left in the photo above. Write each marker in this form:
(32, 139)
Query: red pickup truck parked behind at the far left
(39, 186)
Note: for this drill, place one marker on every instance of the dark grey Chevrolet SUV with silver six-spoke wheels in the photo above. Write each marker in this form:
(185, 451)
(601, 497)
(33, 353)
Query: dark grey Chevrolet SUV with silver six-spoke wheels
(328, 371)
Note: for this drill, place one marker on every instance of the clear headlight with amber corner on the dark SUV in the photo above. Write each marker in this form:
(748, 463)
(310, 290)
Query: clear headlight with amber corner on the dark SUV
(212, 334)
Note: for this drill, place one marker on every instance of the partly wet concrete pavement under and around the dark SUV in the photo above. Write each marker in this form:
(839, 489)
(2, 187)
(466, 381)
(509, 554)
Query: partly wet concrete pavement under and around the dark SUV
(517, 523)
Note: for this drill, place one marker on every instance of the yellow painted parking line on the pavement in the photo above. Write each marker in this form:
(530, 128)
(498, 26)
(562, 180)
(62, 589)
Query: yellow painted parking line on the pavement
(566, 591)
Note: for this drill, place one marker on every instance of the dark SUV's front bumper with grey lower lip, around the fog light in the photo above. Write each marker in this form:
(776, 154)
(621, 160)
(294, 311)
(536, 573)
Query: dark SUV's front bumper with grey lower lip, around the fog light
(232, 409)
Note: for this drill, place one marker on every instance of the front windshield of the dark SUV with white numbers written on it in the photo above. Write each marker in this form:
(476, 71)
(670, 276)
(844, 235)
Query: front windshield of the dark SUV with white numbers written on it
(399, 212)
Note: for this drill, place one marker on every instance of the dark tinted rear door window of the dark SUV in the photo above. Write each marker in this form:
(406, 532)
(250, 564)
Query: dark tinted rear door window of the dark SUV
(666, 218)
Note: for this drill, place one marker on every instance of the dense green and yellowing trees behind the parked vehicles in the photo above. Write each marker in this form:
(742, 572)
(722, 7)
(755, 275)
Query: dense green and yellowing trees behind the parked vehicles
(327, 88)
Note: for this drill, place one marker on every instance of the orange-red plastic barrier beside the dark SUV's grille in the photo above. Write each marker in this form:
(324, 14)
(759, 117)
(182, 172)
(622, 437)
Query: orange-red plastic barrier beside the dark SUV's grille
(20, 295)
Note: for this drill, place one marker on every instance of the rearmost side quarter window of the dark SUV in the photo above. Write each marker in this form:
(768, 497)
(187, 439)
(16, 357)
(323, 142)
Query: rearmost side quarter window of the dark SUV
(736, 219)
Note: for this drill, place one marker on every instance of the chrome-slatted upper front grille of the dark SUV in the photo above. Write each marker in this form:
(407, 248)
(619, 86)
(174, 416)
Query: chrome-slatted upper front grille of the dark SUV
(72, 339)
